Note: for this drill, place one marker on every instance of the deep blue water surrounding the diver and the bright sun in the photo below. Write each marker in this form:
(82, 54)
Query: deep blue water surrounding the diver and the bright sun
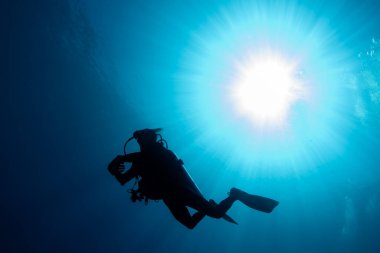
(81, 76)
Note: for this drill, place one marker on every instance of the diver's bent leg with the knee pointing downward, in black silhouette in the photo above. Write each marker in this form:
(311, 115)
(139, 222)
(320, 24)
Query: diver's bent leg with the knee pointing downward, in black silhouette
(182, 214)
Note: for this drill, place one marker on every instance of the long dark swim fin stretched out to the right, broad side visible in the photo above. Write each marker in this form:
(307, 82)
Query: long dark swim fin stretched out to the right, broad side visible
(256, 202)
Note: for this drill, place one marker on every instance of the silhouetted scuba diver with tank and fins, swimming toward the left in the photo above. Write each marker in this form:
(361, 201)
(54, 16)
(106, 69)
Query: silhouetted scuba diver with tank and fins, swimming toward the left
(160, 175)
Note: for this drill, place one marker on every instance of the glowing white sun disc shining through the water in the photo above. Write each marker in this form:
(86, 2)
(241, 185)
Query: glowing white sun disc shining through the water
(265, 87)
